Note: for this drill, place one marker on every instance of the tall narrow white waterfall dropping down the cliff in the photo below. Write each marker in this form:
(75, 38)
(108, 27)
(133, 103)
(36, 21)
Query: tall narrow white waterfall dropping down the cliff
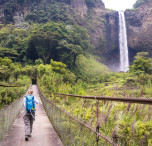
(124, 60)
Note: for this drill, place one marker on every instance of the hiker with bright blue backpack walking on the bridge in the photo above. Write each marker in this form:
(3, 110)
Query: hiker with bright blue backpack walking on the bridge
(29, 113)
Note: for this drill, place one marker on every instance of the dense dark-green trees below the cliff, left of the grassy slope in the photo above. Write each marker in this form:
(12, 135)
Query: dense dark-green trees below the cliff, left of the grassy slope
(49, 41)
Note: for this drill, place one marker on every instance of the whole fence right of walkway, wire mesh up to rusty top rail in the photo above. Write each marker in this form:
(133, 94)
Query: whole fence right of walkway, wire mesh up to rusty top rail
(100, 120)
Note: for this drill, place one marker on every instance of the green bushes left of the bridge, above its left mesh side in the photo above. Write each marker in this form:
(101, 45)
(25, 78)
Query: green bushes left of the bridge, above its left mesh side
(12, 74)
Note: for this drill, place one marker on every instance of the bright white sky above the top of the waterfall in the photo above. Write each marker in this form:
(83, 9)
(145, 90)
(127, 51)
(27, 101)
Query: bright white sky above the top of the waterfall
(119, 4)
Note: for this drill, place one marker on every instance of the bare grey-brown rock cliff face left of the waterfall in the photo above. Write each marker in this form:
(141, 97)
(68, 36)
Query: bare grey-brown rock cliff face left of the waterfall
(103, 29)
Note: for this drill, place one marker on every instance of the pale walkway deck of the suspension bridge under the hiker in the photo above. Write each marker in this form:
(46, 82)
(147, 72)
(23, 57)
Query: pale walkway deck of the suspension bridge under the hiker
(43, 133)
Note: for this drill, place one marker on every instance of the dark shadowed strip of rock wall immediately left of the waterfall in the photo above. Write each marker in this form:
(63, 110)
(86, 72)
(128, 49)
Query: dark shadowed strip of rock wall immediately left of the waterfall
(112, 53)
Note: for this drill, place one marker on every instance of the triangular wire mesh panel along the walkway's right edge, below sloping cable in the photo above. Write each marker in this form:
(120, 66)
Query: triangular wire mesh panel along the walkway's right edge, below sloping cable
(72, 131)
